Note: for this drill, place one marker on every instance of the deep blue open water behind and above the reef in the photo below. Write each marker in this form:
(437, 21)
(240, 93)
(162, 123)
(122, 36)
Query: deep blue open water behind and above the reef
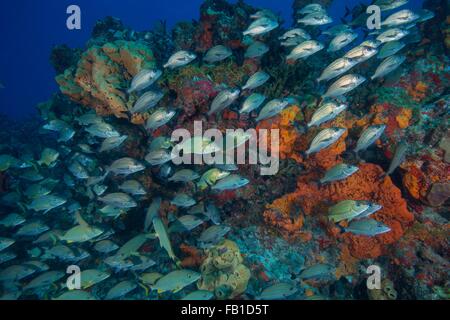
(29, 30)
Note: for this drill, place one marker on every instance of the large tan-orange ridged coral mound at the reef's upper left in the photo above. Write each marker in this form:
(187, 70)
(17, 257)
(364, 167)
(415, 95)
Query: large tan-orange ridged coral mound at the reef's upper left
(102, 74)
